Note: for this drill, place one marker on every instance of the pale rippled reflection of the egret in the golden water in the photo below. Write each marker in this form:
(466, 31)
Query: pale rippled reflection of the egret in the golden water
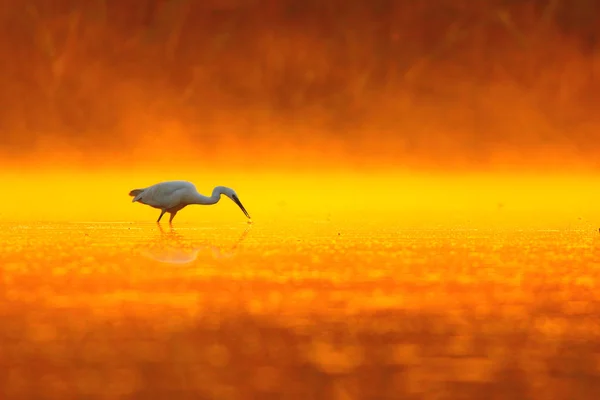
(172, 248)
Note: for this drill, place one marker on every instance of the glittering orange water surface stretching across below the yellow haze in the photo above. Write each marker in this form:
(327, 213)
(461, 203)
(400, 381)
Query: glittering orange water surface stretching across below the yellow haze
(312, 310)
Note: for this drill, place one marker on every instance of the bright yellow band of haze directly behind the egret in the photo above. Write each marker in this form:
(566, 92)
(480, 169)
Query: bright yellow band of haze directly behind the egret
(399, 198)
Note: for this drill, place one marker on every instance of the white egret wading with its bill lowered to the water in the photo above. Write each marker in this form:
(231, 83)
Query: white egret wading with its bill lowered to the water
(172, 196)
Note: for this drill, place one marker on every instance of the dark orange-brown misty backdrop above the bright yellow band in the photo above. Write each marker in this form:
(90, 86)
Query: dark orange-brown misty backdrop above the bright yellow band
(299, 83)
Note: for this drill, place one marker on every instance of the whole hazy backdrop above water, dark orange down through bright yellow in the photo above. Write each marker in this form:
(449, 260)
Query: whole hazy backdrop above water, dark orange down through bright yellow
(402, 109)
